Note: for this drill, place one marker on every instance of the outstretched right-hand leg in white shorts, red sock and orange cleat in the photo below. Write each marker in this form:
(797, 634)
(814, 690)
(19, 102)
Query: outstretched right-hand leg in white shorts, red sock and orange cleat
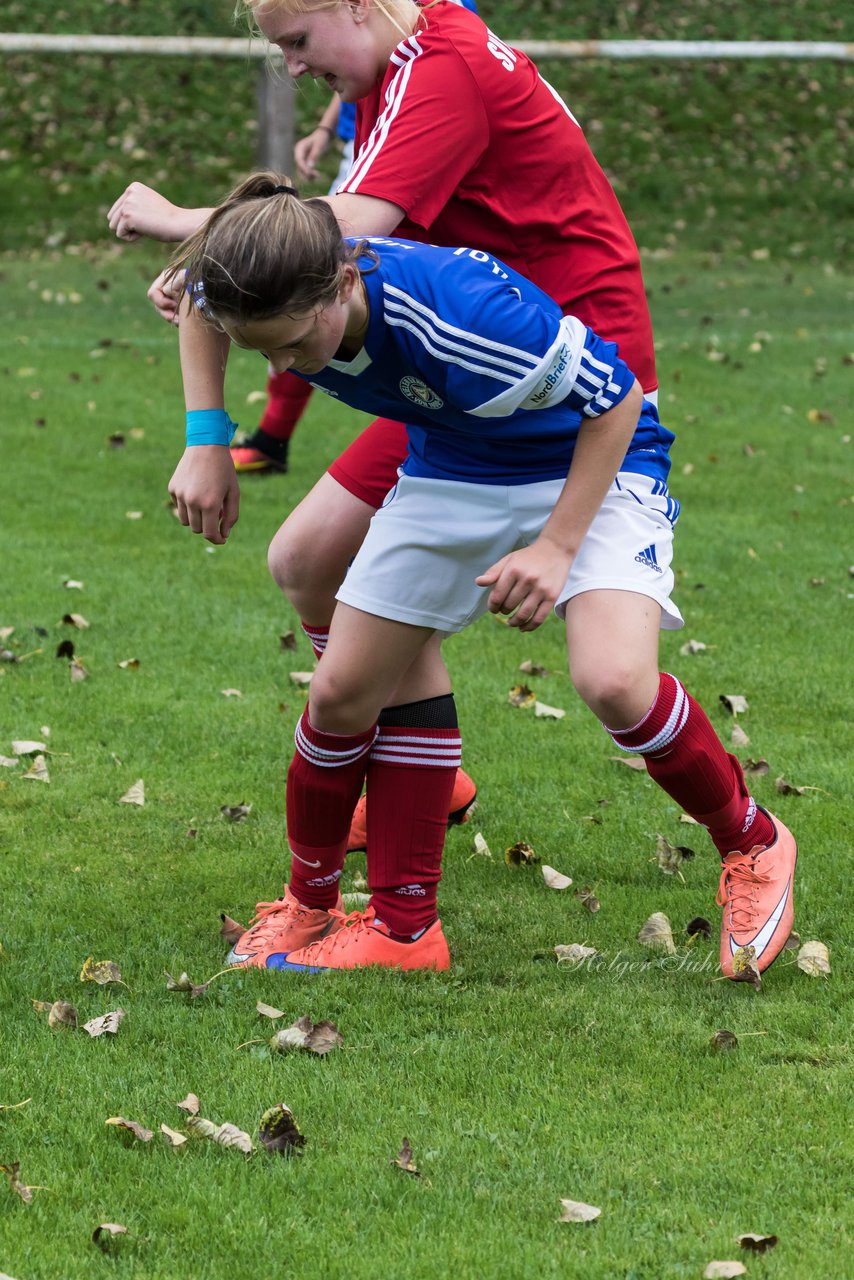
(613, 638)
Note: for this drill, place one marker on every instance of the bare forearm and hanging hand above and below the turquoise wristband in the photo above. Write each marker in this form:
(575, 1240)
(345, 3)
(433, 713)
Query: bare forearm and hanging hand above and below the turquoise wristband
(204, 486)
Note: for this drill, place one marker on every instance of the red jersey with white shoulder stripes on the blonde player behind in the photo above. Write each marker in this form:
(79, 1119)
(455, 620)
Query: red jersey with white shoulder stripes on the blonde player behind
(478, 150)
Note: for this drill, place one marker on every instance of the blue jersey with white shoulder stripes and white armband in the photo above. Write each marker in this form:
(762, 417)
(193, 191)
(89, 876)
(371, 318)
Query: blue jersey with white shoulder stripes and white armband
(492, 381)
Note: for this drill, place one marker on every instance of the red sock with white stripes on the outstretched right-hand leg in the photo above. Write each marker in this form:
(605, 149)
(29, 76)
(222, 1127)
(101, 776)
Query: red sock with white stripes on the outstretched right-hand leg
(686, 757)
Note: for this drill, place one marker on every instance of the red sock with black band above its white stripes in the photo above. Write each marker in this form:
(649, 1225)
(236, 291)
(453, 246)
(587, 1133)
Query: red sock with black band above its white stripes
(410, 780)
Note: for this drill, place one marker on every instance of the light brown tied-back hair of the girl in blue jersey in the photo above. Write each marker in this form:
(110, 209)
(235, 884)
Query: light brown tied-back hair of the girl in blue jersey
(263, 253)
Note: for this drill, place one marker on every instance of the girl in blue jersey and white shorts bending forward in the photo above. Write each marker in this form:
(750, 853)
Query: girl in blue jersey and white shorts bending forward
(536, 479)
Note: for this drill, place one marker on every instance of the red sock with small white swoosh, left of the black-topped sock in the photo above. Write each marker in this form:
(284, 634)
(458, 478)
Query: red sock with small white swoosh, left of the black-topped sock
(325, 783)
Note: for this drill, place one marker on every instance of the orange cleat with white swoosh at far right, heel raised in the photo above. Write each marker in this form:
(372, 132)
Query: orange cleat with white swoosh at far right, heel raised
(756, 894)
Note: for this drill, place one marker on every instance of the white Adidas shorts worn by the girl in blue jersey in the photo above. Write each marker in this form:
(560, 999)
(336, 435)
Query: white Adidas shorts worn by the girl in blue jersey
(432, 538)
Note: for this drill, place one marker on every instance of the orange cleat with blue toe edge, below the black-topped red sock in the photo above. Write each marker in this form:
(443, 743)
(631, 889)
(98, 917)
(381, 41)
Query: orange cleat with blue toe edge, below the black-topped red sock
(362, 940)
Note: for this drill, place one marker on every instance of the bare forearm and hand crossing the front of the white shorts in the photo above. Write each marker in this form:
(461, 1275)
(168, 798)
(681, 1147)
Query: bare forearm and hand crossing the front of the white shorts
(528, 582)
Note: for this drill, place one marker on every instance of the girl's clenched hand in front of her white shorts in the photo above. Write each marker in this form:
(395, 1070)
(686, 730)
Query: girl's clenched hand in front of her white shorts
(528, 583)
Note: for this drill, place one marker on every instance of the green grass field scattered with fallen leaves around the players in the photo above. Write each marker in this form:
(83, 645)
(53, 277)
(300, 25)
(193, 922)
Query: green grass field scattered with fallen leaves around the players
(518, 1081)
